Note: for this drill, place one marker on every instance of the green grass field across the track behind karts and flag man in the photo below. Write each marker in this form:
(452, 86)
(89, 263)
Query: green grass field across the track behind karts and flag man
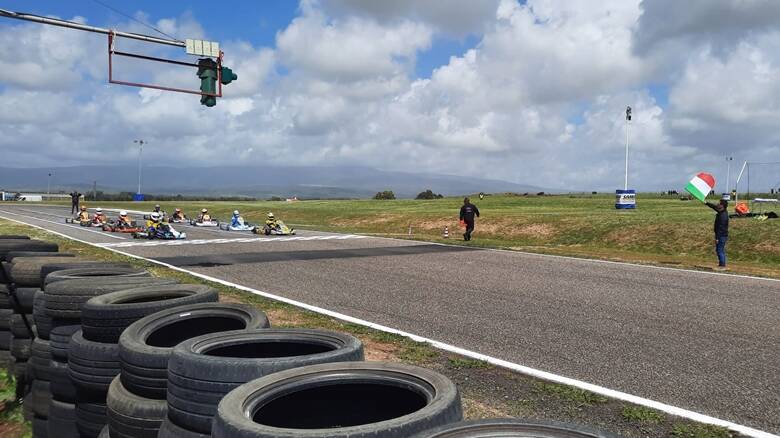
(662, 230)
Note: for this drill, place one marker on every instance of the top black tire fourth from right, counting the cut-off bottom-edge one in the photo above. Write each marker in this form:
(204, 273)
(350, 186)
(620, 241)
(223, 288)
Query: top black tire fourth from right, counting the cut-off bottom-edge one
(148, 342)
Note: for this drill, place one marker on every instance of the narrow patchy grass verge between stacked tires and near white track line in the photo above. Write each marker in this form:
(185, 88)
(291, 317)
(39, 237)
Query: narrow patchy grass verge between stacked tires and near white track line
(487, 391)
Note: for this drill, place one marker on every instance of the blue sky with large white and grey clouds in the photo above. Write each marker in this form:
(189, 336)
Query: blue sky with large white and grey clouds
(530, 92)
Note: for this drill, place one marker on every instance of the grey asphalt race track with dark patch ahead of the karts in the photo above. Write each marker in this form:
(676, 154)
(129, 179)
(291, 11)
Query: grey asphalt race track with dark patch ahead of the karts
(705, 342)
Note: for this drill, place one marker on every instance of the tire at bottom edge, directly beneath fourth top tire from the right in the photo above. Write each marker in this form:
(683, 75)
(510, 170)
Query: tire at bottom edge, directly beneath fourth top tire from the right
(133, 415)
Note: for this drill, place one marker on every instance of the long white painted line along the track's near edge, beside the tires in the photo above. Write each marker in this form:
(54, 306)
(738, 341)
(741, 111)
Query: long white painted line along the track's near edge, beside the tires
(673, 410)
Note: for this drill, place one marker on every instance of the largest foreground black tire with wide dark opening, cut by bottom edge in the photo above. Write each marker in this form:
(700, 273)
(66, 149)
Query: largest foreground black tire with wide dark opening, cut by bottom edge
(405, 400)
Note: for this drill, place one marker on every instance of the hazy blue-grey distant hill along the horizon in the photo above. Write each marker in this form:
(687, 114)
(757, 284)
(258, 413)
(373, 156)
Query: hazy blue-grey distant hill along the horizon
(259, 182)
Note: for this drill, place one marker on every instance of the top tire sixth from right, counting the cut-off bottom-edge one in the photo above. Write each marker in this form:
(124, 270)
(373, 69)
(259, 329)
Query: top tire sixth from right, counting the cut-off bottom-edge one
(65, 298)
